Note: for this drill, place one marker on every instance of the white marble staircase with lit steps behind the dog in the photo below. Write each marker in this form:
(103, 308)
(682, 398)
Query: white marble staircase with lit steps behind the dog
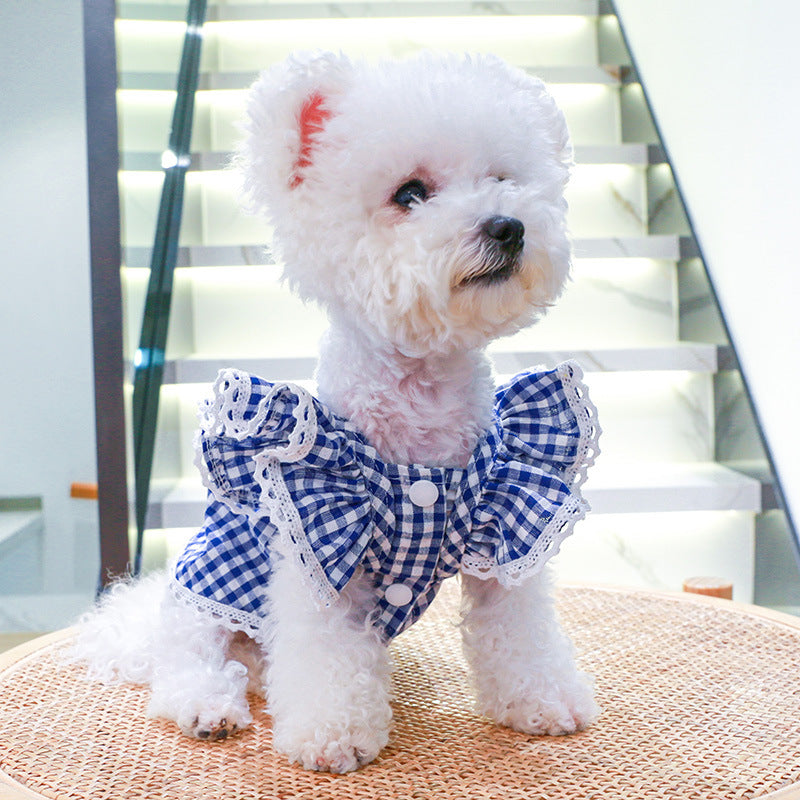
(638, 316)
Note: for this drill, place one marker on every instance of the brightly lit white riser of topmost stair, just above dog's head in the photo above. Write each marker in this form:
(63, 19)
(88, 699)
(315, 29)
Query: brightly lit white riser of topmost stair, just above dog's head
(247, 45)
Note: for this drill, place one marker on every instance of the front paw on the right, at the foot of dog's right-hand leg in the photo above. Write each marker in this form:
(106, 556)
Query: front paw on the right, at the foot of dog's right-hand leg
(561, 708)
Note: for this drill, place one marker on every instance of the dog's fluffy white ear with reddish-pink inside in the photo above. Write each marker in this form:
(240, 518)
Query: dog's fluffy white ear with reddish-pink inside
(287, 110)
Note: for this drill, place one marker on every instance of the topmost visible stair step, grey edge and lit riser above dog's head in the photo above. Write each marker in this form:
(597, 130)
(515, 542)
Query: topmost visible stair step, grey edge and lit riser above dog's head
(246, 37)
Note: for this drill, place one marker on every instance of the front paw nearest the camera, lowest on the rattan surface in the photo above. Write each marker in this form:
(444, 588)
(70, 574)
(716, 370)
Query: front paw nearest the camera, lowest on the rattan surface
(341, 752)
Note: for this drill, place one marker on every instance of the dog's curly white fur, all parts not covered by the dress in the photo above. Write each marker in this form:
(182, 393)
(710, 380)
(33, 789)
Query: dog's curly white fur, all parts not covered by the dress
(414, 291)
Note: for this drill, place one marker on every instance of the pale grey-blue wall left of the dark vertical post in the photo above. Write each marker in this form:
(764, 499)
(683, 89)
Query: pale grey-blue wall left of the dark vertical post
(46, 397)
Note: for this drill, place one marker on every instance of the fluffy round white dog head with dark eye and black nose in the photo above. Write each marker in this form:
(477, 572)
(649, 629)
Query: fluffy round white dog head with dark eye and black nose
(420, 200)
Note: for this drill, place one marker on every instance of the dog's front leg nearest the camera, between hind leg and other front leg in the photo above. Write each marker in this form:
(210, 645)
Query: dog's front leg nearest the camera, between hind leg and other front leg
(328, 679)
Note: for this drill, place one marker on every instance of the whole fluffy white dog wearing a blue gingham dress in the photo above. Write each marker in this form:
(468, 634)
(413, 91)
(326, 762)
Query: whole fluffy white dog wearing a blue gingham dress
(420, 203)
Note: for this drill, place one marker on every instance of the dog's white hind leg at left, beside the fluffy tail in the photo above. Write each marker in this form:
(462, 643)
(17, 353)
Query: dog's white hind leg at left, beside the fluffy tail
(195, 682)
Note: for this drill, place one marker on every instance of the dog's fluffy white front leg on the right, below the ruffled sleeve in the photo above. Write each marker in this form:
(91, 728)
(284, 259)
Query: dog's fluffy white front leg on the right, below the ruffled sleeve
(523, 663)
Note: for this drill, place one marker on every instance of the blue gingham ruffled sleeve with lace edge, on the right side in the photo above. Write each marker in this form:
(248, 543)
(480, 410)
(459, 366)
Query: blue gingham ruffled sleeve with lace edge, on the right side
(535, 462)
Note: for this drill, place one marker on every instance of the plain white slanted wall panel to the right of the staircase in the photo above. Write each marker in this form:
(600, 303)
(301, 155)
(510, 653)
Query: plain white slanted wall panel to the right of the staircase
(723, 77)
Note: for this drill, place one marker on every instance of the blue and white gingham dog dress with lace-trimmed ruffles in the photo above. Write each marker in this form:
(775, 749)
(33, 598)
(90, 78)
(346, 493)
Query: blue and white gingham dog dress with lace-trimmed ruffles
(278, 463)
